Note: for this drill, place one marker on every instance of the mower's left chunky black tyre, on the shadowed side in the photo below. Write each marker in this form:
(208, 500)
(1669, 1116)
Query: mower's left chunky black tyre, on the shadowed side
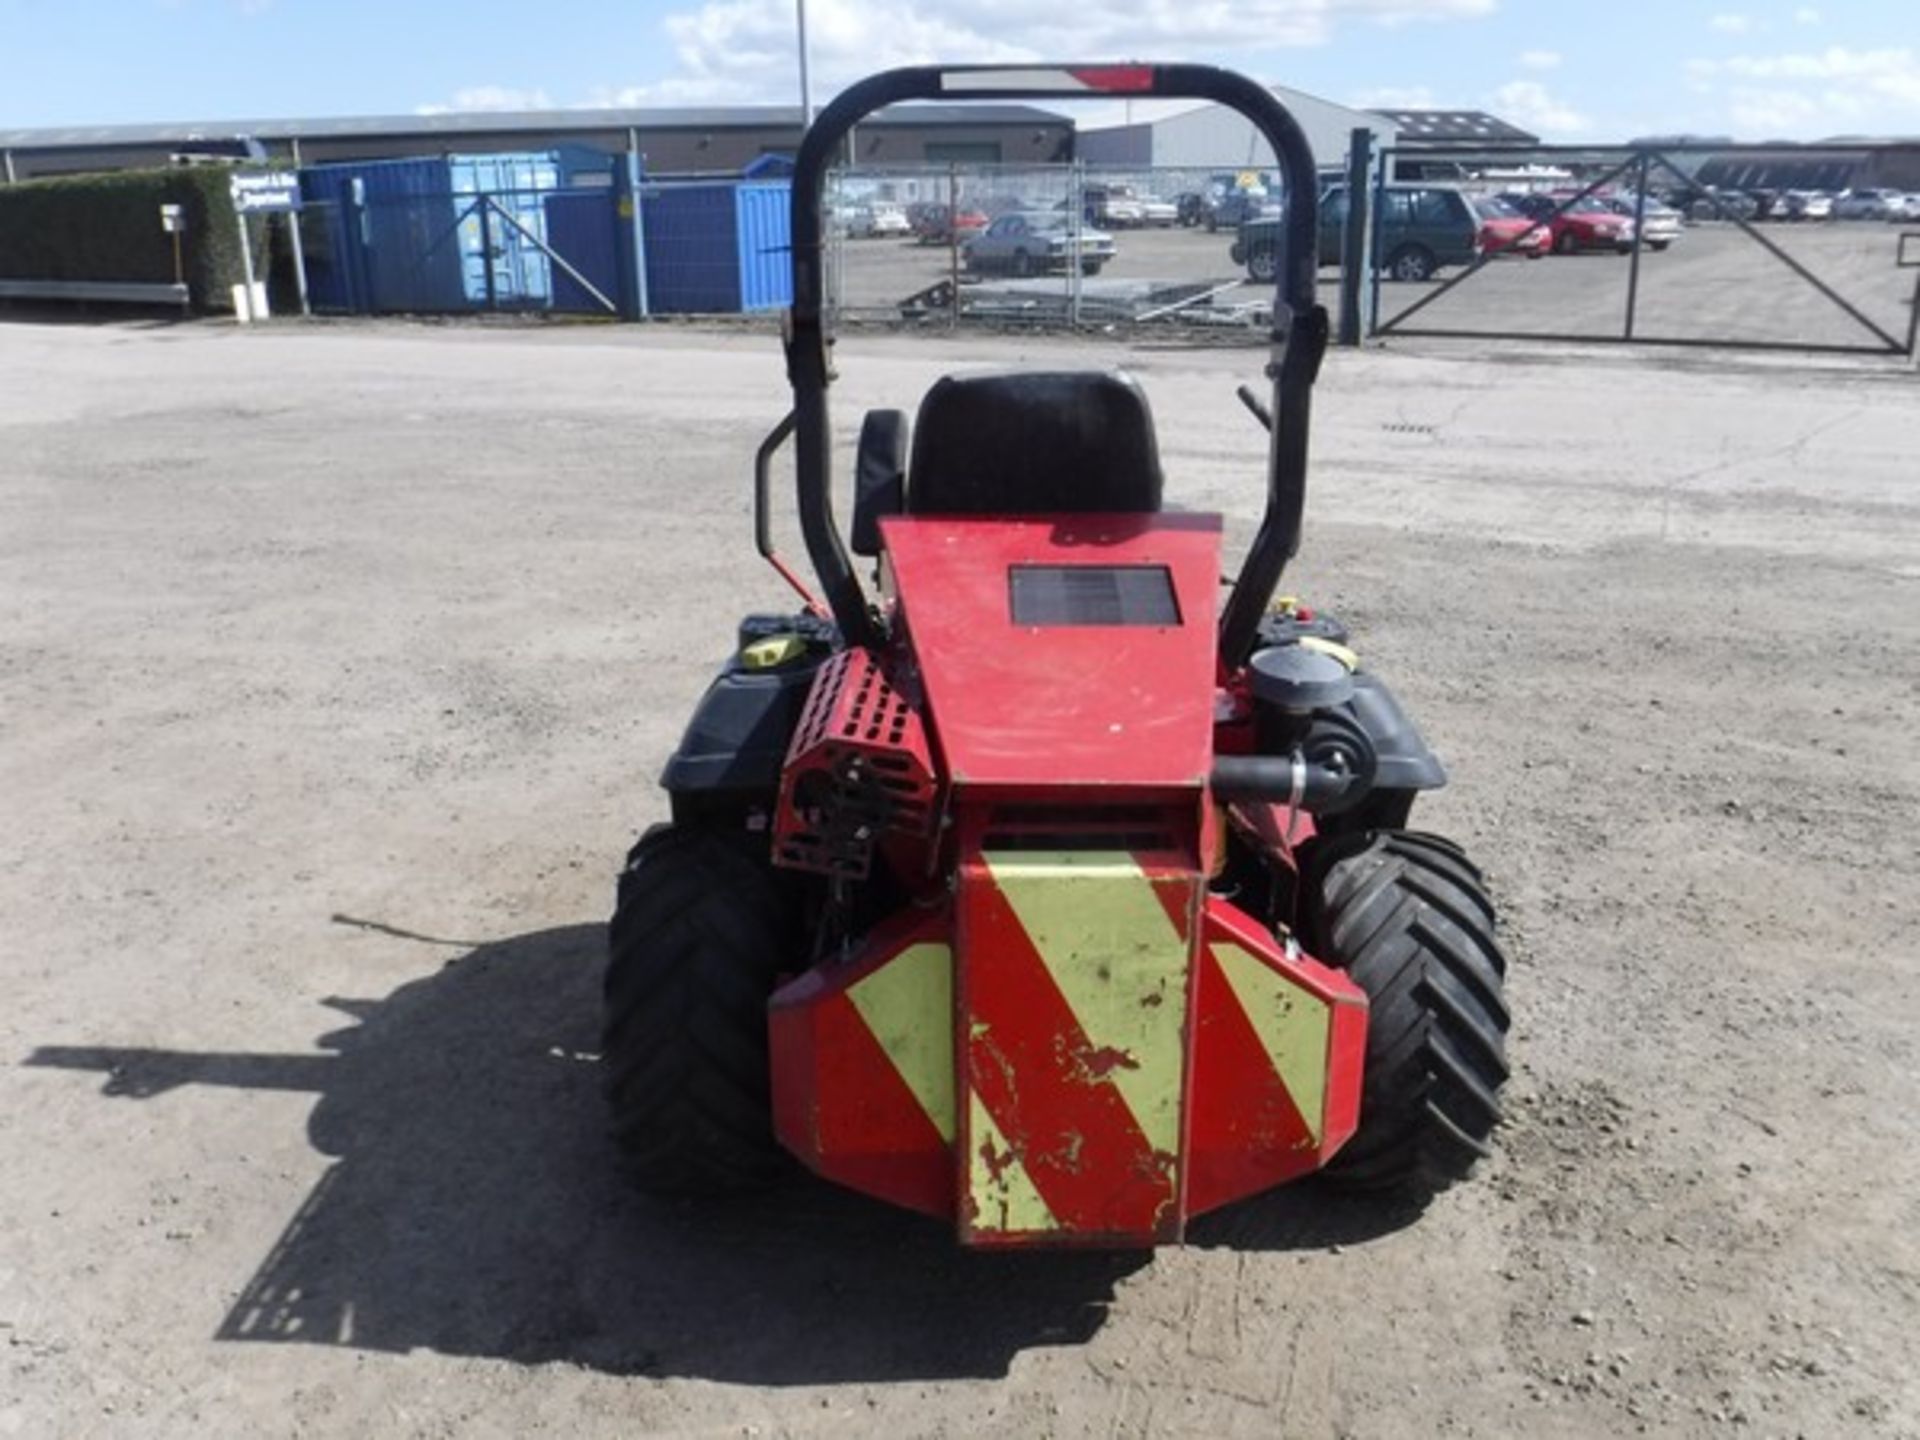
(698, 938)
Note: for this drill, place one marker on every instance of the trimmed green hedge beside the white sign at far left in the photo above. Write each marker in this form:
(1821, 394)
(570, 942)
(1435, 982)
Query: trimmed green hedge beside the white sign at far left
(107, 228)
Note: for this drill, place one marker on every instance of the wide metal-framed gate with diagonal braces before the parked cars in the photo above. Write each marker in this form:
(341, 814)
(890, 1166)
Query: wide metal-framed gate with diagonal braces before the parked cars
(1762, 270)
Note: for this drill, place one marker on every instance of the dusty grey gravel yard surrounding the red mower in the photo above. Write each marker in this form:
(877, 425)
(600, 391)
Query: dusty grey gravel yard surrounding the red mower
(335, 671)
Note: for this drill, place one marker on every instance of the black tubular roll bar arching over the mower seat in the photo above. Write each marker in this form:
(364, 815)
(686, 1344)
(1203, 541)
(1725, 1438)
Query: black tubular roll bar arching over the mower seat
(1299, 322)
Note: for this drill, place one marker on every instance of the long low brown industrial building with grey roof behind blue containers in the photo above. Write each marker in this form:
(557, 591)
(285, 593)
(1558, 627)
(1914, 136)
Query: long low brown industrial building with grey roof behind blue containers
(669, 141)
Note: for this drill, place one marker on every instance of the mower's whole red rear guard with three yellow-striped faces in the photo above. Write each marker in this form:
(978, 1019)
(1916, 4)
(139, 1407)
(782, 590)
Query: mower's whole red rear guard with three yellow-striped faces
(1080, 1053)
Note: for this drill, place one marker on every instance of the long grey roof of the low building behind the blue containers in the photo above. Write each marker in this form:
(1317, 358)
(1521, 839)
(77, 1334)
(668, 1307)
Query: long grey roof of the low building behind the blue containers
(502, 122)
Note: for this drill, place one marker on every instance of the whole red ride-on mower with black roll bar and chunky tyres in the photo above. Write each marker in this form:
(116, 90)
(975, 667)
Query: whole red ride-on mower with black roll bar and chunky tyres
(1038, 892)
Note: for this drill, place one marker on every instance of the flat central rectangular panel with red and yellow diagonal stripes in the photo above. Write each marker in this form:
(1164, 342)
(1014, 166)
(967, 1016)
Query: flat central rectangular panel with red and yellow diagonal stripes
(1074, 984)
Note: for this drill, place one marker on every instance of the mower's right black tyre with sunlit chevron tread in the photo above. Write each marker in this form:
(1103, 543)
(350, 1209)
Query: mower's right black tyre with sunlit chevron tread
(1408, 919)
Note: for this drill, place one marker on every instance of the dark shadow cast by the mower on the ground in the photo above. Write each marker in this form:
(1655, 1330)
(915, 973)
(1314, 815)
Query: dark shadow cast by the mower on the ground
(473, 1211)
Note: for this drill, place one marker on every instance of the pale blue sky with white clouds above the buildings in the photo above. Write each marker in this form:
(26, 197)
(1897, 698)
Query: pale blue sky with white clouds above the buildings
(1572, 70)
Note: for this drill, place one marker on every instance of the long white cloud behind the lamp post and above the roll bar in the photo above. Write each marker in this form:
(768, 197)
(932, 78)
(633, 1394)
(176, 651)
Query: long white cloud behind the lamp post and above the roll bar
(746, 51)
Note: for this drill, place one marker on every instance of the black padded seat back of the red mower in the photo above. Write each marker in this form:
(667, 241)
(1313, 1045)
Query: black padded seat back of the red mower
(1034, 443)
